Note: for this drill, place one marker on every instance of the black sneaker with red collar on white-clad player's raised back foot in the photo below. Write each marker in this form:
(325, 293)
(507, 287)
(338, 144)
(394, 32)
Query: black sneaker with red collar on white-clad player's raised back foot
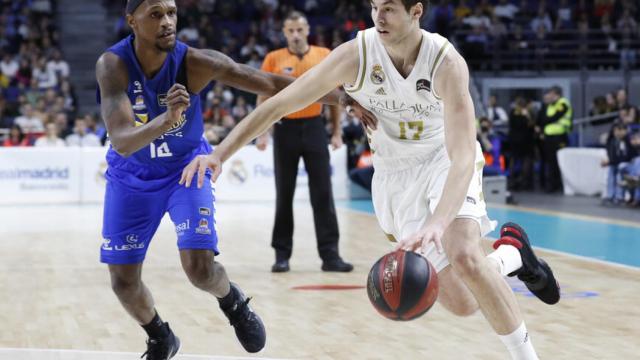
(535, 273)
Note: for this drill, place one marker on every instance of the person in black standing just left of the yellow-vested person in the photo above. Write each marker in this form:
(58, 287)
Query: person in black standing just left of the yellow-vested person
(521, 145)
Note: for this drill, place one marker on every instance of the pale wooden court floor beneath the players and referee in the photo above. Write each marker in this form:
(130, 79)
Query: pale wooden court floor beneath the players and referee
(54, 294)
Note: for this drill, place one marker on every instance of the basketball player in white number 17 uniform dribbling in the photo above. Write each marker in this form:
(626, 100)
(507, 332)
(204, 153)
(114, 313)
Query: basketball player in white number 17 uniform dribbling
(427, 187)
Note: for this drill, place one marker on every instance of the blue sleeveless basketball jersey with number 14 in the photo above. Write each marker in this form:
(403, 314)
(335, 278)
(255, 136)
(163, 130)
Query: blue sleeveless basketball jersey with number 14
(155, 165)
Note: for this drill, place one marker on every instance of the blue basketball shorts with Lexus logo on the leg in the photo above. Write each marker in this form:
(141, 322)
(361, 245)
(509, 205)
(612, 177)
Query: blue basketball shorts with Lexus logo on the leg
(131, 218)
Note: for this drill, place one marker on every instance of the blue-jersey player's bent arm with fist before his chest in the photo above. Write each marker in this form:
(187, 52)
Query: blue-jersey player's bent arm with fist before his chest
(117, 113)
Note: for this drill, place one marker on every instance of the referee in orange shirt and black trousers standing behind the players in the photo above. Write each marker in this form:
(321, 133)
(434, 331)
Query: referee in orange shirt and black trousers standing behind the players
(302, 134)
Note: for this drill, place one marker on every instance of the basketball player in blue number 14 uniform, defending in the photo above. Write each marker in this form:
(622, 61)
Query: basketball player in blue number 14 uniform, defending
(148, 92)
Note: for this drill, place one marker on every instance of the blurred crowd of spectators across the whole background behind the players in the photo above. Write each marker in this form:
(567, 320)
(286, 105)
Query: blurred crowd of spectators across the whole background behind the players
(38, 106)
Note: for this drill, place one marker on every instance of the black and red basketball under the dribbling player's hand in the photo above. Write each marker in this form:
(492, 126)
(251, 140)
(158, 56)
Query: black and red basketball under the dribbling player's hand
(402, 285)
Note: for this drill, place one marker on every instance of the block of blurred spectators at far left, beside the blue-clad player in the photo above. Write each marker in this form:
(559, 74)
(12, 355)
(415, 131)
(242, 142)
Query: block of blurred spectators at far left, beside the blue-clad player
(38, 106)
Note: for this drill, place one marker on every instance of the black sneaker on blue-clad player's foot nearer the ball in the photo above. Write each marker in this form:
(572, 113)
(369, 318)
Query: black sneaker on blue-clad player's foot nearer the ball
(247, 324)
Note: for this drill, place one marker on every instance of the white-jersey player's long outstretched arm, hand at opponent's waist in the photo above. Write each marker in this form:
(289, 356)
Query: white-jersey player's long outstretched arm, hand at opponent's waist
(340, 67)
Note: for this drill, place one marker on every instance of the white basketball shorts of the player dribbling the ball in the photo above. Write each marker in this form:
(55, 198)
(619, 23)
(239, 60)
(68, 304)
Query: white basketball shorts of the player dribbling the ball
(406, 191)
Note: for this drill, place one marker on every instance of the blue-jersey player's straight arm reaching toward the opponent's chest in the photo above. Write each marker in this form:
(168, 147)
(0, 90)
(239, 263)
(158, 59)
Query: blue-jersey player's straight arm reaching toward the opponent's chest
(210, 65)
